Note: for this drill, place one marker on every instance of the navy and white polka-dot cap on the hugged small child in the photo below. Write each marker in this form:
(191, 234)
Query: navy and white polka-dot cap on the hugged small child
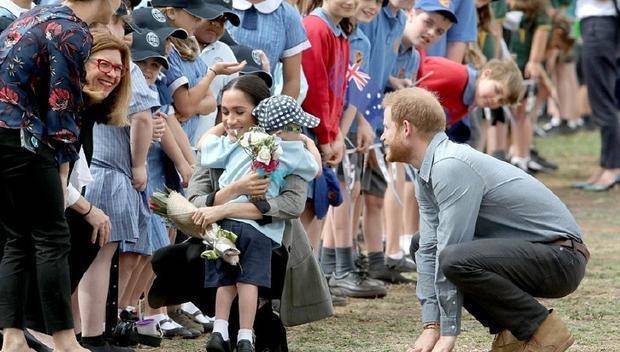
(278, 111)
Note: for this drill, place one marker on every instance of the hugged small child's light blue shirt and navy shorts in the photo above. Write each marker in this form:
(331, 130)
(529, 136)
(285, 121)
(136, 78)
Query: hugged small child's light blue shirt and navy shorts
(255, 239)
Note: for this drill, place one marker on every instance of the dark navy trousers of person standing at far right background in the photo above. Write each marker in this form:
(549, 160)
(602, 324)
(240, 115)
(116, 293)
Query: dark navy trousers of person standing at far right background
(601, 37)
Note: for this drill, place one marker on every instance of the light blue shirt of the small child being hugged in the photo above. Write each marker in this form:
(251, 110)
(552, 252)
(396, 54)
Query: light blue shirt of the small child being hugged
(219, 152)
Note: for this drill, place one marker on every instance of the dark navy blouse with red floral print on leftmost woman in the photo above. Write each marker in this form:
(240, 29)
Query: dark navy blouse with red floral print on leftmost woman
(42, 57)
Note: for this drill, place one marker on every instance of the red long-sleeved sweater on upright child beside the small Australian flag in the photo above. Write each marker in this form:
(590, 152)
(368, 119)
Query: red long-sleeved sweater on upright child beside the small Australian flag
(325, 66)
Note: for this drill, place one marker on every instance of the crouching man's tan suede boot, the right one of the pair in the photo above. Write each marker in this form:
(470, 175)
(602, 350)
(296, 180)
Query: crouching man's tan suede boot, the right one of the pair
(551, 336)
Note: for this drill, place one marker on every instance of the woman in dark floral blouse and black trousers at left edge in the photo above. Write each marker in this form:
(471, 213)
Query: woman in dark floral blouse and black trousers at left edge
(43, 58)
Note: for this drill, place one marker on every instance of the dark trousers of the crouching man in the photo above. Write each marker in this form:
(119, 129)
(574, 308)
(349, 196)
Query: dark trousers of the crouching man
(499, 279)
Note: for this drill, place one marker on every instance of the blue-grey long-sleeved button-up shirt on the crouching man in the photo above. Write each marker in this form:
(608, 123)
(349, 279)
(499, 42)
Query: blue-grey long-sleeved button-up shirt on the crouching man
(466, 195)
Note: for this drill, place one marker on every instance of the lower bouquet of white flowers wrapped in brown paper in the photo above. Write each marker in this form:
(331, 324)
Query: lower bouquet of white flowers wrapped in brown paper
(177, 210)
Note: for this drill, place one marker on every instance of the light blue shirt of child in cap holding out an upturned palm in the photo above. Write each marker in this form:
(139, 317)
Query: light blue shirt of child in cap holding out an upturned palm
(180, 73)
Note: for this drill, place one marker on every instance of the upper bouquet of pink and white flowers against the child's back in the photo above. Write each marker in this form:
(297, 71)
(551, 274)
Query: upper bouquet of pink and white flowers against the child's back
(263, 148)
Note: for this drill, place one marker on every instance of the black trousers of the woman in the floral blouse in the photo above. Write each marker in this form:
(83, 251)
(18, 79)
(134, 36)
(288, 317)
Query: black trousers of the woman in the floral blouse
(33, 222)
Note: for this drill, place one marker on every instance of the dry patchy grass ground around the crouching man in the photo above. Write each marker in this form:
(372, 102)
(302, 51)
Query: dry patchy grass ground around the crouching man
(392, 323)
